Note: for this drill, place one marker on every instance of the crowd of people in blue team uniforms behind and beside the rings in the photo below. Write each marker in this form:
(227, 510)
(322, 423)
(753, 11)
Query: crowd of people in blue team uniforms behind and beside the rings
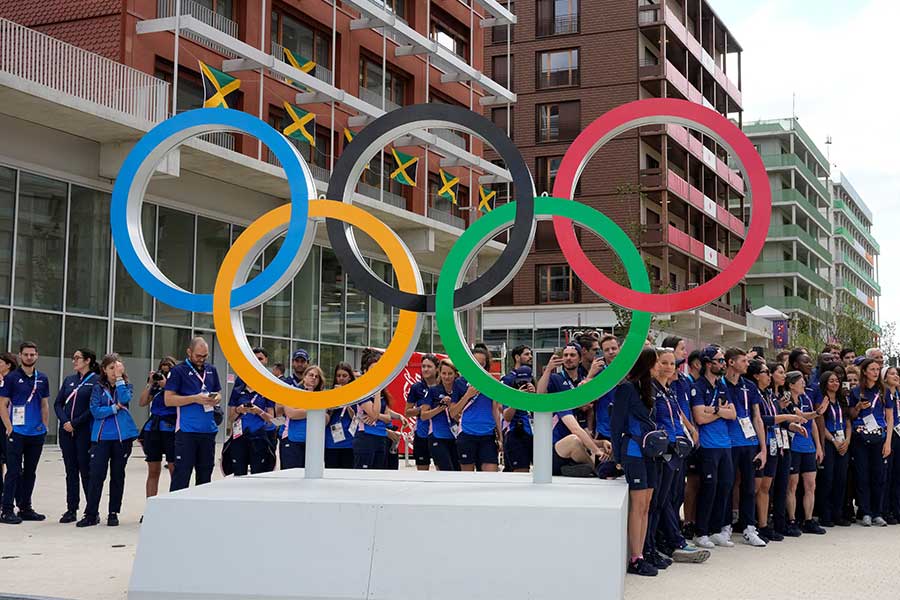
(710, 443)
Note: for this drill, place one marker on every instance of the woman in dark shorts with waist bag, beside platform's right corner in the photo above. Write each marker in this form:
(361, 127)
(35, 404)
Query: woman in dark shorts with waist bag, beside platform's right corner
(632, 418)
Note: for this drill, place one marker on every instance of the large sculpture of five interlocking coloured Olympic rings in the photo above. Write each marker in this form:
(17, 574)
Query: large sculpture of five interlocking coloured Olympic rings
(299, 219)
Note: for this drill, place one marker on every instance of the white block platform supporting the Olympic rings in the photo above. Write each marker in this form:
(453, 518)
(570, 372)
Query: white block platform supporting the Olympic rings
(384, 535)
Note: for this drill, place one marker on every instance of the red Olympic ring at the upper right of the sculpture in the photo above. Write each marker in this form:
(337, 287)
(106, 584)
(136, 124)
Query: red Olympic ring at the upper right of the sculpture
(627, 117)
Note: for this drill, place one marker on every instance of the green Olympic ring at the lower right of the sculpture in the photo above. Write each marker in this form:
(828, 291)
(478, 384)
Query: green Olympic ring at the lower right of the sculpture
(457, 264)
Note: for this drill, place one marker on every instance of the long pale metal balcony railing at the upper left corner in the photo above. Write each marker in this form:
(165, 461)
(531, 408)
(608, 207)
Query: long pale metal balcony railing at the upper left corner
(52, 63)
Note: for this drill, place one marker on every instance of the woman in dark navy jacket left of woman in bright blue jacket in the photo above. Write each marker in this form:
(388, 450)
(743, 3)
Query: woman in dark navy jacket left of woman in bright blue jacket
(73, 409)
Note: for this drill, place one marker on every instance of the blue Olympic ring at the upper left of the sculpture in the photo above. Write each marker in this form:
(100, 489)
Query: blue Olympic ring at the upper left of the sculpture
(131, 184)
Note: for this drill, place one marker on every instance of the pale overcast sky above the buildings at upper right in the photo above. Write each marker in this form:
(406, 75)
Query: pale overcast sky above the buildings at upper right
(838, 58)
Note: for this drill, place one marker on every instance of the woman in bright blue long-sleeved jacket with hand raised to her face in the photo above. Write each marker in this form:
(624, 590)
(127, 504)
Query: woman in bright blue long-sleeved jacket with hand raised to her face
(113, 433)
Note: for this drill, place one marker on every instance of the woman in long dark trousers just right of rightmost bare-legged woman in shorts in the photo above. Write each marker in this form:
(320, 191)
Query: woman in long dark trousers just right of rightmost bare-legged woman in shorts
(836, 434)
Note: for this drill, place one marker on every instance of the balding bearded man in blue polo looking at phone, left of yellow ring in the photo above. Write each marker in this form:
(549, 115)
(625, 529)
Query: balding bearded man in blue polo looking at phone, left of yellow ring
(193, 389)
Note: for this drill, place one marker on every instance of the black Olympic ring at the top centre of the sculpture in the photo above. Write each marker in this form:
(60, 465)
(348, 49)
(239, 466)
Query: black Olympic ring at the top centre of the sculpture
(389, 127)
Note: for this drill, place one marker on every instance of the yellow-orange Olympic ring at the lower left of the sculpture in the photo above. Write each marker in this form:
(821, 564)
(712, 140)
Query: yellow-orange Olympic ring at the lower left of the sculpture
(257, 377)
